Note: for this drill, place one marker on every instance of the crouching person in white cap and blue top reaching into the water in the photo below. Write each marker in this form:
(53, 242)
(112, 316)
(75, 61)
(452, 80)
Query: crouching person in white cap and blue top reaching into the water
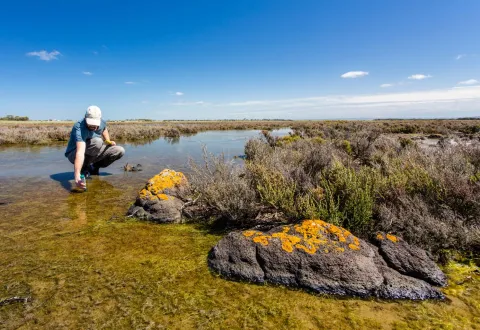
(89, 147)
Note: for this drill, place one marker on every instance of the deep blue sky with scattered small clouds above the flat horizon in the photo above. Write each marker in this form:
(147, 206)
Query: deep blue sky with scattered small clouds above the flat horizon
(246, 59)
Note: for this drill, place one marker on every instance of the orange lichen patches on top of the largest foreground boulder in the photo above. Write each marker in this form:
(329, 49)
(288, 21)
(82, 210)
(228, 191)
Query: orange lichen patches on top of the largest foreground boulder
(313, 234)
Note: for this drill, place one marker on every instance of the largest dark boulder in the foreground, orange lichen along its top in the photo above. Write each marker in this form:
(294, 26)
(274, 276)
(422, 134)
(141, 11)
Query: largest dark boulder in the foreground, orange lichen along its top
(315, 256)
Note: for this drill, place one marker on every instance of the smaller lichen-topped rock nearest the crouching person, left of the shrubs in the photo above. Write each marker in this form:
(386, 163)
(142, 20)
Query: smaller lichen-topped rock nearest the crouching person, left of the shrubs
(158, 200)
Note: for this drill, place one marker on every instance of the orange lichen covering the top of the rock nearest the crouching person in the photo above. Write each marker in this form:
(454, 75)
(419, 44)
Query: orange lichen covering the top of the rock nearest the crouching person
(156, 186)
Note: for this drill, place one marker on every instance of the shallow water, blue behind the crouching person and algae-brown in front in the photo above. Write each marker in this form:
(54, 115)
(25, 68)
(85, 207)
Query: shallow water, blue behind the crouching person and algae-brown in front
(85, 265)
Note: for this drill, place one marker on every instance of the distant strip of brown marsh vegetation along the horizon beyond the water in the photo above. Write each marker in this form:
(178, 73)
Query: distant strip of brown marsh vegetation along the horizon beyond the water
(45, 132)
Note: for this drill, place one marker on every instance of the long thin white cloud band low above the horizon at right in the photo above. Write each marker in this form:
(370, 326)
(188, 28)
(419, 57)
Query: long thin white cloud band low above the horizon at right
(458, 101)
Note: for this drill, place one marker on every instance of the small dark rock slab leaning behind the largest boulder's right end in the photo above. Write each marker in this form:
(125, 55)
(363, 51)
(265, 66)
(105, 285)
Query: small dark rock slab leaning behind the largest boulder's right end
(409, 260)
